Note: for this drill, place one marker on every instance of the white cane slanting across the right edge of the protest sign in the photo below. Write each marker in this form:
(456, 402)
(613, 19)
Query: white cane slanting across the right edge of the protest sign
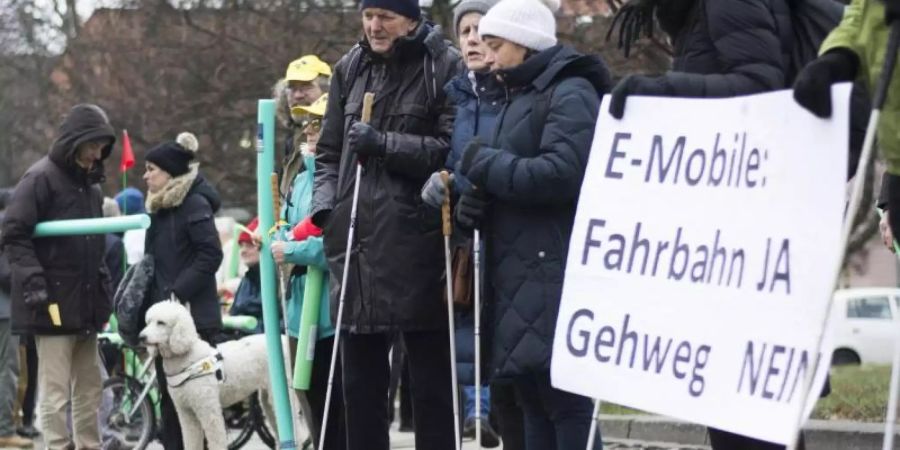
(881, 92)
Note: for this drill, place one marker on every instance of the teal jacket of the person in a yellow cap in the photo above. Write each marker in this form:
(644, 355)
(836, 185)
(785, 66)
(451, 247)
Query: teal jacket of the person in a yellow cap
(309, 252)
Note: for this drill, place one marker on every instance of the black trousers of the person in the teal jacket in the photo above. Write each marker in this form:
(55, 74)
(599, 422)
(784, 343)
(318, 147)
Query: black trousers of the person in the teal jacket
(336, 434)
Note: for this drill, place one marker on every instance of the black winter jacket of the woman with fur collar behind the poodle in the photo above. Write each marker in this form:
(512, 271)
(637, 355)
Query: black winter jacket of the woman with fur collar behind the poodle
(185, 246)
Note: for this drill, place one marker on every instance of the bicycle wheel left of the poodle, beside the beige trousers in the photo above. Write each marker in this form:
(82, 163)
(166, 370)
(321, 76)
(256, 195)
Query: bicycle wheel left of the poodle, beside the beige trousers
(121, 429)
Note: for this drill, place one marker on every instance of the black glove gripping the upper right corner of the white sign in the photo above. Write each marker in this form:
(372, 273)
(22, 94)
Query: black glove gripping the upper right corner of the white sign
(812, 90)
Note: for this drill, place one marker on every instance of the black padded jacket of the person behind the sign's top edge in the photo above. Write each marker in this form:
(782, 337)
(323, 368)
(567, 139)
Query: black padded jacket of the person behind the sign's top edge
(725, 48)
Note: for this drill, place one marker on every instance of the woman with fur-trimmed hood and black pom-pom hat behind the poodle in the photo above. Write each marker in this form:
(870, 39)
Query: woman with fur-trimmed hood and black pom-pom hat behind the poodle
(185, 246)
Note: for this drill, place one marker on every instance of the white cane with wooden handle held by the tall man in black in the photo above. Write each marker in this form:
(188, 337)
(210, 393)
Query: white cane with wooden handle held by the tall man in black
(368, 99)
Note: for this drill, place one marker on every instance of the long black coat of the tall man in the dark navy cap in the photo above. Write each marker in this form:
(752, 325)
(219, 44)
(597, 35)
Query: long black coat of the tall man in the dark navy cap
(397, 264)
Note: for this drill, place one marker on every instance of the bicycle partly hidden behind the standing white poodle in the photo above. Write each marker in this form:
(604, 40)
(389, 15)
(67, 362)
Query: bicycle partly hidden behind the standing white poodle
(132, 396)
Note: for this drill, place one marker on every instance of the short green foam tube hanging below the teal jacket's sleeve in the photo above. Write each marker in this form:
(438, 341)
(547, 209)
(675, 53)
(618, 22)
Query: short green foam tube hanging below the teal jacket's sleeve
(309, 319)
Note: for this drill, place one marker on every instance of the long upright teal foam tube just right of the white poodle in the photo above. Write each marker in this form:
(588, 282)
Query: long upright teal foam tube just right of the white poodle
(265, 165)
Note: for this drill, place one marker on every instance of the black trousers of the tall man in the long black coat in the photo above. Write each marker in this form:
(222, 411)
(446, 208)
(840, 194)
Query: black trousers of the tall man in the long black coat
(367, 379)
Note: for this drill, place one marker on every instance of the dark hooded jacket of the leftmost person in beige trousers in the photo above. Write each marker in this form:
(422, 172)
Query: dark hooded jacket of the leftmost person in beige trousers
(73, 268)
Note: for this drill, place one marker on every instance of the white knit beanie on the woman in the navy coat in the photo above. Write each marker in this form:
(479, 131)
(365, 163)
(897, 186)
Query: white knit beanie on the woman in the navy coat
(529, 23)
